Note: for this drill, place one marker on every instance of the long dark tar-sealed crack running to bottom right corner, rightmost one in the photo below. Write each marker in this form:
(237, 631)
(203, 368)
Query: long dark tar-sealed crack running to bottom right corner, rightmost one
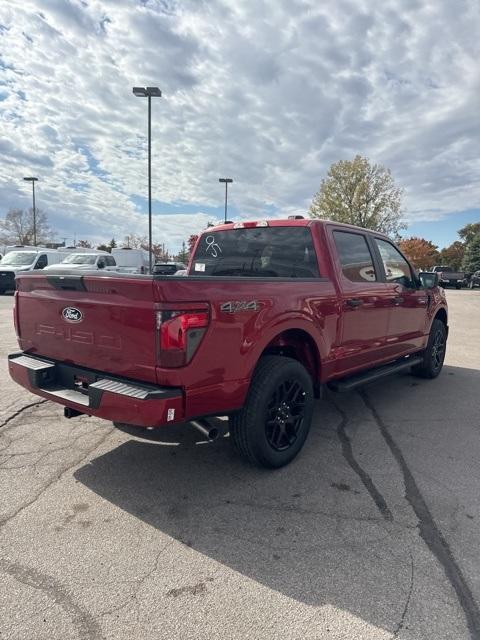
(429, 531)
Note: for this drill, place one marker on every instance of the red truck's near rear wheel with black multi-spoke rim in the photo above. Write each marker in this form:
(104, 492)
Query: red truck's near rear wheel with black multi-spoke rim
(272, 427)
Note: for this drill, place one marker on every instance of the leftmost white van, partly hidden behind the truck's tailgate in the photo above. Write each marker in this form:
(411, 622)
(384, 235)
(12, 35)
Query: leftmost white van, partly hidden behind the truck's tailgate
(24, 259)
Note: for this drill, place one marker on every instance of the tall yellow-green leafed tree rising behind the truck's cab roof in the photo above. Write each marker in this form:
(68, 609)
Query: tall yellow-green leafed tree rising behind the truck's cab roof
(360, 193)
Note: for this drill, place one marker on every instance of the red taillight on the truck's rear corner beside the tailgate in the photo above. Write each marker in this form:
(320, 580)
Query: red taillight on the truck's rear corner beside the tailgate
(179, 335)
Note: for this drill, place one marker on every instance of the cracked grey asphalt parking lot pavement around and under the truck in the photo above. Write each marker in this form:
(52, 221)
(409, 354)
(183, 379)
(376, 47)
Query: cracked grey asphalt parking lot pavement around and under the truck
(373, 532)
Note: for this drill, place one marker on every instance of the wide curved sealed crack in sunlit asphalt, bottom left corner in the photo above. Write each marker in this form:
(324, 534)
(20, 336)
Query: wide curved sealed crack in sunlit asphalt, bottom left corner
(87, 626)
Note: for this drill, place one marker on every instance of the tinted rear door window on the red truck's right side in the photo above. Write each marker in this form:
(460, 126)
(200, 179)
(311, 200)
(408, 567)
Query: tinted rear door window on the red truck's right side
(355, 257)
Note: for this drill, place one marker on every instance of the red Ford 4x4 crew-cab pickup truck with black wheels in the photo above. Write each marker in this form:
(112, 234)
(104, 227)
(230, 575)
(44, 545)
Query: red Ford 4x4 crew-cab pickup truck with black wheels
(269, 312)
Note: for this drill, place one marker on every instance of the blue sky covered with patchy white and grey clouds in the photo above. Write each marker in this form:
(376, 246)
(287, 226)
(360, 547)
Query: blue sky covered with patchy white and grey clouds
(268, 92)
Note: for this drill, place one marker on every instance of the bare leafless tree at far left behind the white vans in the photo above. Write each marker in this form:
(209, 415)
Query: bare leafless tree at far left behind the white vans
(17, 228)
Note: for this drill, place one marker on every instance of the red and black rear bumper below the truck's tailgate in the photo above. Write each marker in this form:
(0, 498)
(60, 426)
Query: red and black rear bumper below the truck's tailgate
(96, 393)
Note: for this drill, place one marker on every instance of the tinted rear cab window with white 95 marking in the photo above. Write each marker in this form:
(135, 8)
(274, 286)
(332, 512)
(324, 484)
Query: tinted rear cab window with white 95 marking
(261, 252)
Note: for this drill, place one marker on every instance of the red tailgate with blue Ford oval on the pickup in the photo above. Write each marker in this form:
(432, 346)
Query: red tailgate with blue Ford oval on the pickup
(110, 325)
